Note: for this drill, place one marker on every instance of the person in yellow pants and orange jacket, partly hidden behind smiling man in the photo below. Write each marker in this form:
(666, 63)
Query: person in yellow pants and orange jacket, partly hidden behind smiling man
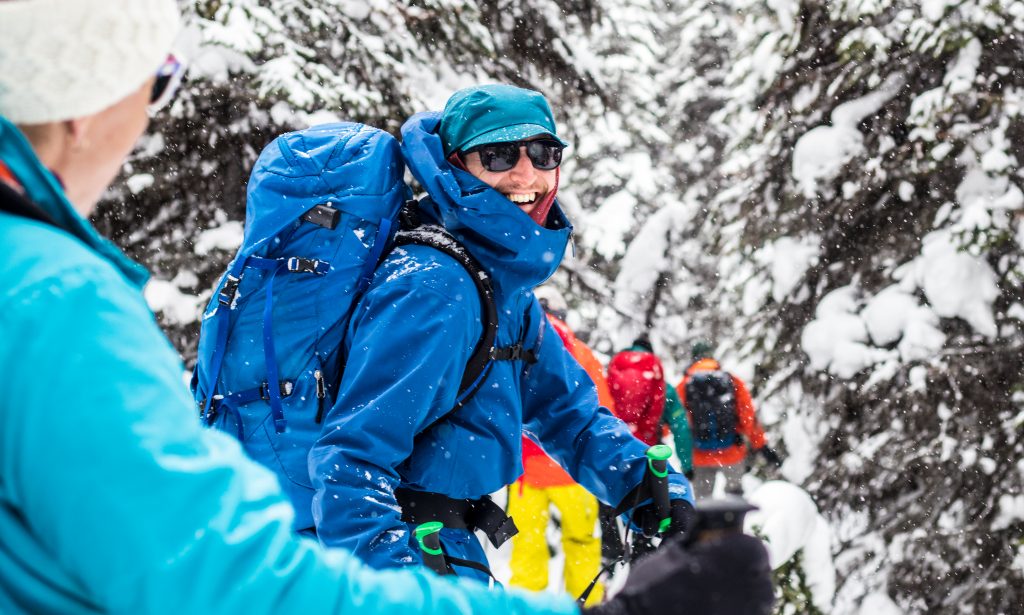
(545, 484)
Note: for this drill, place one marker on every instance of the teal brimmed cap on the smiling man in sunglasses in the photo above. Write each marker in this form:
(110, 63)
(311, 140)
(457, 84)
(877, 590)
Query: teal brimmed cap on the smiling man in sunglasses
(495, 114)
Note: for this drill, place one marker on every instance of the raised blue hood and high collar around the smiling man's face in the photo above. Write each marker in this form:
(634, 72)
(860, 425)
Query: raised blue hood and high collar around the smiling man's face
(518, 252)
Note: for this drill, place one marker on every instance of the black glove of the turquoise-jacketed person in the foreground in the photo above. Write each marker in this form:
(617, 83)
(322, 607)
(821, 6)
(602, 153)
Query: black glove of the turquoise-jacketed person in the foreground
(724, 576)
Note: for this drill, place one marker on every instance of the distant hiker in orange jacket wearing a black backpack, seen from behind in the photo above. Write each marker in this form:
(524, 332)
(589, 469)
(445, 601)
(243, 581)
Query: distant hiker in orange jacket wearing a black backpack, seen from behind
(722, 417)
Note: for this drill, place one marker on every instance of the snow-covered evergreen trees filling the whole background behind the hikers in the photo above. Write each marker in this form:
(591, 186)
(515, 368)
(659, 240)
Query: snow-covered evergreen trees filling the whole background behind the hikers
(829, 191)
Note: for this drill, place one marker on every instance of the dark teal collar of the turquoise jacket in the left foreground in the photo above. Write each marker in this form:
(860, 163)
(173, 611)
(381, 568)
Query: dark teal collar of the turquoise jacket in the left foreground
(42, 189)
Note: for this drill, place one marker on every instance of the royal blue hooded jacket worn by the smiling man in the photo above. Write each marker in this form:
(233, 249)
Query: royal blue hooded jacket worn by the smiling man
(408, 344)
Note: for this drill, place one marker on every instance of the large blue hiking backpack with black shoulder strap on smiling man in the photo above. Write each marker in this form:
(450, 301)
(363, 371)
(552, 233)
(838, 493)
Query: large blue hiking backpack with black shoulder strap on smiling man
(324, 208)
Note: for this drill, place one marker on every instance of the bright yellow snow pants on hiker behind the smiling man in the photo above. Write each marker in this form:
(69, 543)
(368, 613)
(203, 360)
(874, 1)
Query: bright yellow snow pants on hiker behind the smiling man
(530, 508)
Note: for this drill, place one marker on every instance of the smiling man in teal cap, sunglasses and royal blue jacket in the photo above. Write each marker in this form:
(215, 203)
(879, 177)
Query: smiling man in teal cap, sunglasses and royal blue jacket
(393, 454)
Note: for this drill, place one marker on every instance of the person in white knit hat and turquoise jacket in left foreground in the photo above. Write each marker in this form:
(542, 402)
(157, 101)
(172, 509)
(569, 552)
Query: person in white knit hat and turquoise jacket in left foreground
(113, 499)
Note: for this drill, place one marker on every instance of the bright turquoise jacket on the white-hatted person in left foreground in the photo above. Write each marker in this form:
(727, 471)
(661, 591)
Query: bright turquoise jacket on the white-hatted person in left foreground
(113, 499)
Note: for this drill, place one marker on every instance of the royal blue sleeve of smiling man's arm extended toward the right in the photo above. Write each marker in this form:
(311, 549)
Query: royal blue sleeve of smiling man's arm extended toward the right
(564, 415)
